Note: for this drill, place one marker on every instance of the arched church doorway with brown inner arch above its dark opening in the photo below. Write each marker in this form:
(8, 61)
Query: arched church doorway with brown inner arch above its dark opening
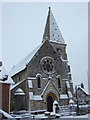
(51, 97)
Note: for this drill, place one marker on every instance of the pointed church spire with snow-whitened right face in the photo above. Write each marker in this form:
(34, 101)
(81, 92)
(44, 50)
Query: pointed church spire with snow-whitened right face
(52, 31)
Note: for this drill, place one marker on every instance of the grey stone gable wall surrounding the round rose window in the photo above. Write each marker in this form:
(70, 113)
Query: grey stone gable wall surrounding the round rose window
(34, 66)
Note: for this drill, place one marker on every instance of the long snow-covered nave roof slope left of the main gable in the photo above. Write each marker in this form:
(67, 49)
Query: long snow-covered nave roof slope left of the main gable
(22, 64)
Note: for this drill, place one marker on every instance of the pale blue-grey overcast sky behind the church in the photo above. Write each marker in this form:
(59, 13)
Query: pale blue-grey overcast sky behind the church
(23, 26)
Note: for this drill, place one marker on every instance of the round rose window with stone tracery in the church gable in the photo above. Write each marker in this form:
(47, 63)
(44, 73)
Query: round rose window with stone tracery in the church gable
(48, 65)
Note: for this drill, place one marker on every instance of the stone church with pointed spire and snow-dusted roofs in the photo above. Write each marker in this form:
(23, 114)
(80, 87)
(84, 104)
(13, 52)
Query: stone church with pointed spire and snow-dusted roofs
(44, 75)
